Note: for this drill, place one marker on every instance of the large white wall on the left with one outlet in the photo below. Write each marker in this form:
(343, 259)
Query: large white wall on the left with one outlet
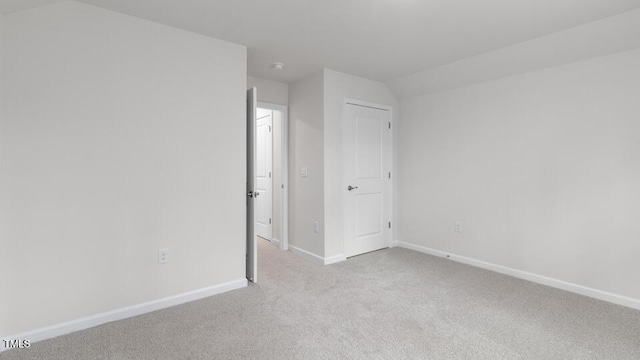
(121, 136)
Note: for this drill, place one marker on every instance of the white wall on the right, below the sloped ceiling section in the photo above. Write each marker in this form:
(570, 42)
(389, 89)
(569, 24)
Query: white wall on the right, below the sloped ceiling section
(542, 168)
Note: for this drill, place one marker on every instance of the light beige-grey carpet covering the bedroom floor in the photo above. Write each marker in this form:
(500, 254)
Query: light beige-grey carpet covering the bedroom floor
(390, 304)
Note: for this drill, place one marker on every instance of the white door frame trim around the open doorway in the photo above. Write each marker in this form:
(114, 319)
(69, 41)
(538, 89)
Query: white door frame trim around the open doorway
(284, 242)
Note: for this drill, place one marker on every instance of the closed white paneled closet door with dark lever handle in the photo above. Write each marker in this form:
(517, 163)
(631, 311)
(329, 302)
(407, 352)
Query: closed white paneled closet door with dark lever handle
(366, 178)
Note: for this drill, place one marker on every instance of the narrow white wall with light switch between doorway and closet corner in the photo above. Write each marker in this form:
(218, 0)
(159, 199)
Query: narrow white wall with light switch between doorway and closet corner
(306, 194)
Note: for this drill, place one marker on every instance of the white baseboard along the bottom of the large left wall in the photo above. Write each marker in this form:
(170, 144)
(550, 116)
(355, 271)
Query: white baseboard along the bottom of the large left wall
(123, 313)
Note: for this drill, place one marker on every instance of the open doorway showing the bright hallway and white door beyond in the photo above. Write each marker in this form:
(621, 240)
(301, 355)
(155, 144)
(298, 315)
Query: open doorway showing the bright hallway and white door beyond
(271, 210)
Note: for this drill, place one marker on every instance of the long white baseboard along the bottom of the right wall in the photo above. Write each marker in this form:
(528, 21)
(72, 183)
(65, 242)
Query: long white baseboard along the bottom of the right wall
(540, 279)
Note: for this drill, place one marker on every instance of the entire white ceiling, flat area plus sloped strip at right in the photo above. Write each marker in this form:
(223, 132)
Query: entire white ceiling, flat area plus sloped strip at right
(414, 46)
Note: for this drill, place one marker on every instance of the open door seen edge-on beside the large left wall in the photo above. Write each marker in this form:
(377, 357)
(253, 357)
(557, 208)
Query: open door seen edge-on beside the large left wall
(252, 245)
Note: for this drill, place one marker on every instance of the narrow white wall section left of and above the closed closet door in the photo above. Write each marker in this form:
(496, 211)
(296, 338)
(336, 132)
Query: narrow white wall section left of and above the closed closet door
(337, 87)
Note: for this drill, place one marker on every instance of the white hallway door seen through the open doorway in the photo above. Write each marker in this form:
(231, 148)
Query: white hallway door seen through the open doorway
(264, 174)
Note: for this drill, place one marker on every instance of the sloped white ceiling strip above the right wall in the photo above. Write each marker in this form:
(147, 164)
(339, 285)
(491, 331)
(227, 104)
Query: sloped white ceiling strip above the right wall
(612, 35)
